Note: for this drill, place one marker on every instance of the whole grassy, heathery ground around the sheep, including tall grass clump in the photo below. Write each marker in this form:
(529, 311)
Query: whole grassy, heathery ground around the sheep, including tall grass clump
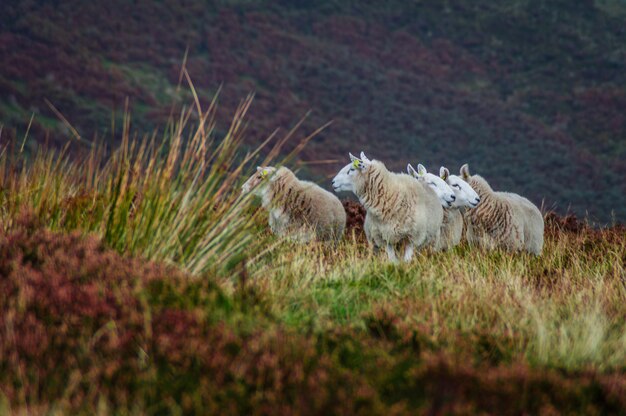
(140, 281)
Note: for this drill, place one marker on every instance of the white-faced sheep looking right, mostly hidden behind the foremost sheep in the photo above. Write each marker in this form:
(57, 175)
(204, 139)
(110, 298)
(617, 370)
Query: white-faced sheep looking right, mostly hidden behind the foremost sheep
(452, 224)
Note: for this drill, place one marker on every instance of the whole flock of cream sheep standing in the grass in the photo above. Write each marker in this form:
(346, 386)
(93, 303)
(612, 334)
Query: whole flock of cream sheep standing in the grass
(409, 211)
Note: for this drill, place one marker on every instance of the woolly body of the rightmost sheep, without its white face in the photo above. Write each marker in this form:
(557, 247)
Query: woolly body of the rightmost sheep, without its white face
(502, 219)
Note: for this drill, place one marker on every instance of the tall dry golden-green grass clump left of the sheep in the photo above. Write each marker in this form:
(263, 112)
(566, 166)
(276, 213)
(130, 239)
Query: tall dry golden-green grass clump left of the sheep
(175, 198)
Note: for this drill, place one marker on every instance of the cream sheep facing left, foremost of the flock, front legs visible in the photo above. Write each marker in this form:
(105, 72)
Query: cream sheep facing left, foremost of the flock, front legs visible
(398, 211)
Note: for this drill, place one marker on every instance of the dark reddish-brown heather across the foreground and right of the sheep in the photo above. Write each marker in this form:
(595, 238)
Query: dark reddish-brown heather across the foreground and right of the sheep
(84, 329)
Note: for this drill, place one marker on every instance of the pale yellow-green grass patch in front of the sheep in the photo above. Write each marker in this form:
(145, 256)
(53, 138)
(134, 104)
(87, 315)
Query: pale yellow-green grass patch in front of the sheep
(562, 310)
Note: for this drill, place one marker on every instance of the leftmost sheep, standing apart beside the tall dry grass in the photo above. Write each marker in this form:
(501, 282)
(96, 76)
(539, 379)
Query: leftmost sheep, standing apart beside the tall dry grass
(298, 209)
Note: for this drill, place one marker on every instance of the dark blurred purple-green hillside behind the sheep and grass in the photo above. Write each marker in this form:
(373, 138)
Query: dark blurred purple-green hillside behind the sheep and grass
(531, 93)
